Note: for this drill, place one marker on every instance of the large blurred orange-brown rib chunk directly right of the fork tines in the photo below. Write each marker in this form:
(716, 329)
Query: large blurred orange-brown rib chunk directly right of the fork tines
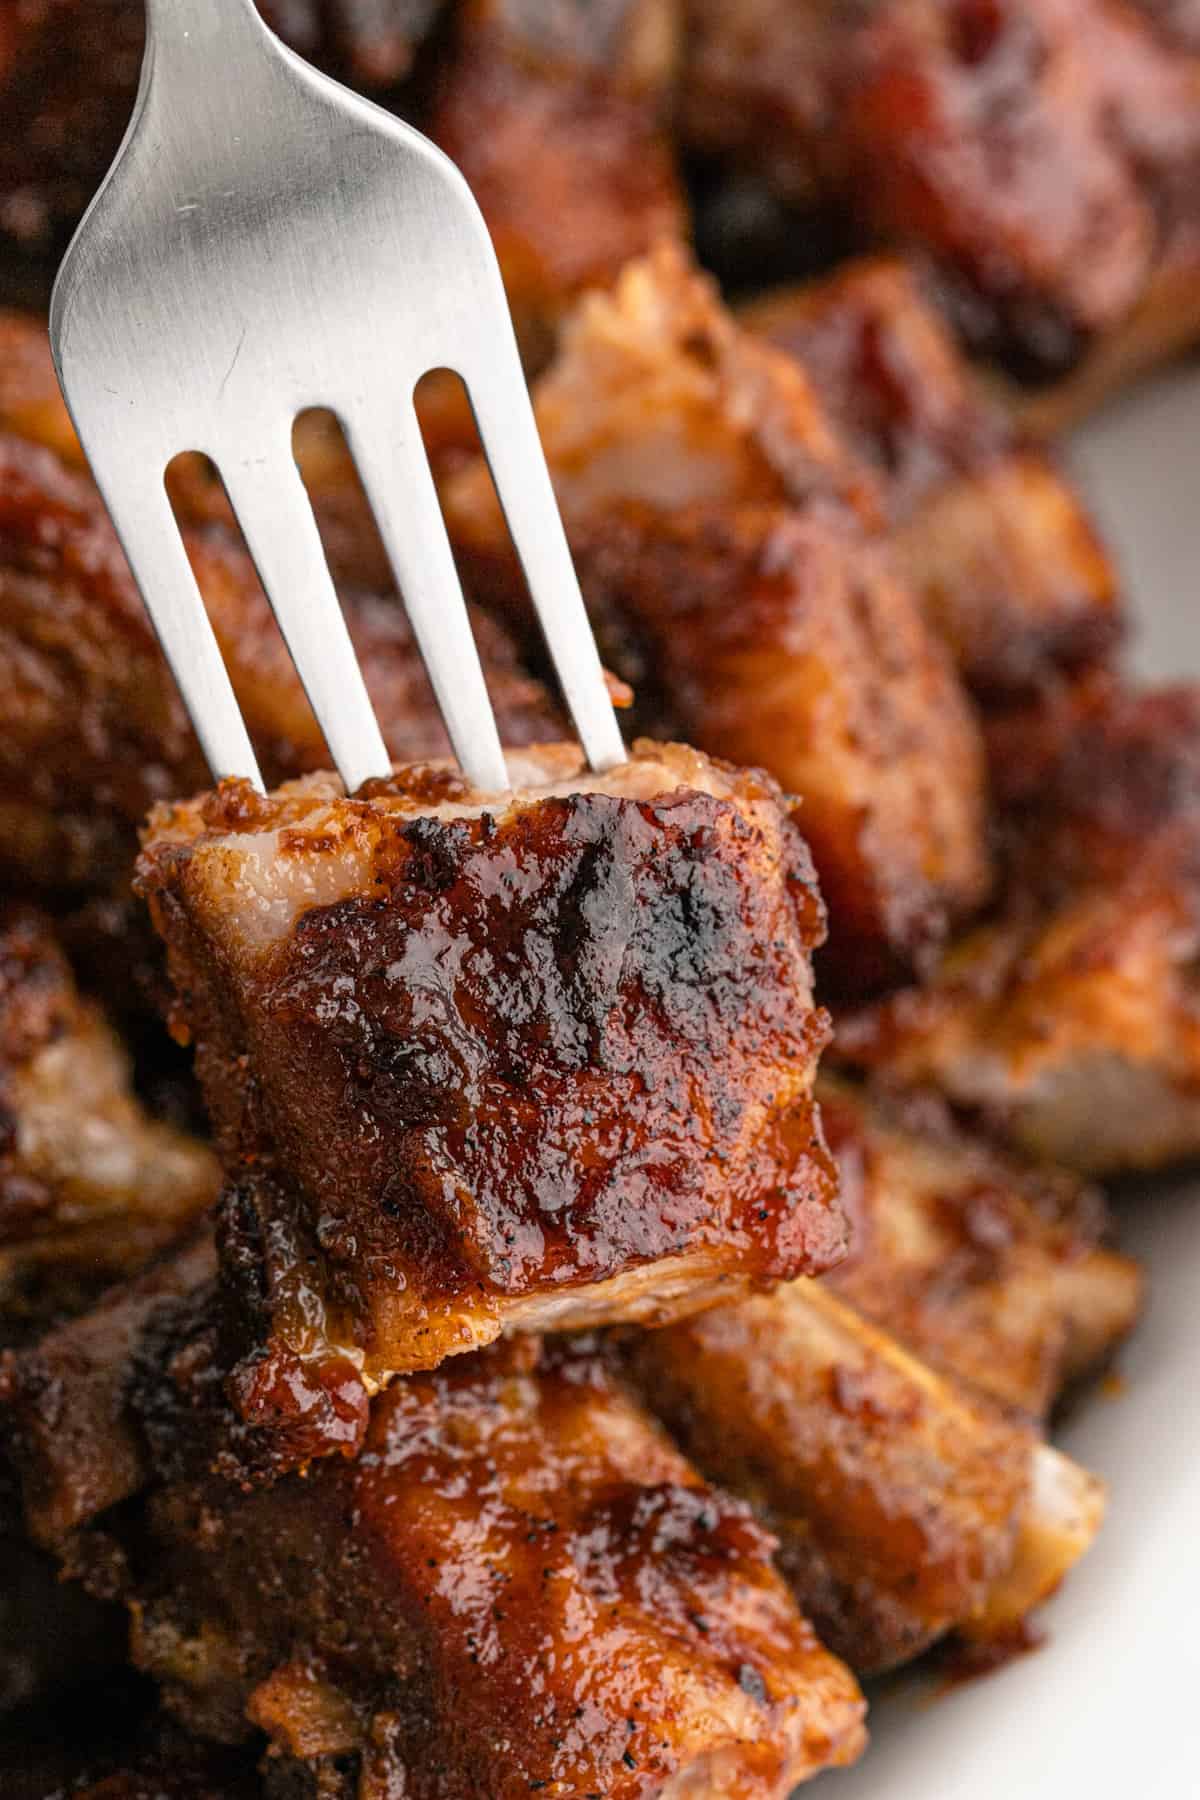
(719, 523)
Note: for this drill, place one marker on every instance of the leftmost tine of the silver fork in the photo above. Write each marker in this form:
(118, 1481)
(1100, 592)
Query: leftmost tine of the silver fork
(150, 539)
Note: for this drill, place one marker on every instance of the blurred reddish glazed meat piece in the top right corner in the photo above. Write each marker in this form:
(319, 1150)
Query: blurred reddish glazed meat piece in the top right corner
(1041, 152)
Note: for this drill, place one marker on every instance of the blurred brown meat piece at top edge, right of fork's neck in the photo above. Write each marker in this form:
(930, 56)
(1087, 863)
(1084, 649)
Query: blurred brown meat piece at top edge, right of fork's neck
(557, 116)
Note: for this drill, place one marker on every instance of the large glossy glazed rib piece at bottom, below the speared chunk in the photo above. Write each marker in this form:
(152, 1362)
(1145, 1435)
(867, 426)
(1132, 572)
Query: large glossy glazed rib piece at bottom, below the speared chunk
(517, 1583)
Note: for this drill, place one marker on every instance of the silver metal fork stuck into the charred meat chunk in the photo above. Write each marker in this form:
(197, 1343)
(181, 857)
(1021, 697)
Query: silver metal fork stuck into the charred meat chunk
(271, 242)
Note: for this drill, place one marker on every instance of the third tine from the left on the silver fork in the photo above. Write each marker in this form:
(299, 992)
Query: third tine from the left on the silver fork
(400, 487)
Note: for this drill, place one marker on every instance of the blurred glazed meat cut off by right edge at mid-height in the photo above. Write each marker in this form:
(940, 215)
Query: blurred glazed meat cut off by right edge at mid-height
(1071, 1020)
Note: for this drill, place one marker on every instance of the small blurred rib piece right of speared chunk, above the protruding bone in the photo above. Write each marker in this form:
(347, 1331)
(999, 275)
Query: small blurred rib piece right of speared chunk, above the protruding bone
(989, 1268)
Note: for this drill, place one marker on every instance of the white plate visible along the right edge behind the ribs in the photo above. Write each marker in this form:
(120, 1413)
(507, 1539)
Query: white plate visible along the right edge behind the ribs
(1111, 1707)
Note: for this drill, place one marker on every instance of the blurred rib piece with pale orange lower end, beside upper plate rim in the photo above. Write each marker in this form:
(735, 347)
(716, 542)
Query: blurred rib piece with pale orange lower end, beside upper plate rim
(985, 526)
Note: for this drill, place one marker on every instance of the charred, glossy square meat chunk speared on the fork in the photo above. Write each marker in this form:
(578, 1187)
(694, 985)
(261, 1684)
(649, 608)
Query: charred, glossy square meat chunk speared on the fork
(537, 1061)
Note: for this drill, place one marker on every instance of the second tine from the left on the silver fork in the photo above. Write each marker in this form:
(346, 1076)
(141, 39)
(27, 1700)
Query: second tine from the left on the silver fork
(282, 535)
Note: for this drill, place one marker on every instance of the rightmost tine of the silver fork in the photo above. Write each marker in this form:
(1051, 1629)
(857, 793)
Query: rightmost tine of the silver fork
(510, 436)
